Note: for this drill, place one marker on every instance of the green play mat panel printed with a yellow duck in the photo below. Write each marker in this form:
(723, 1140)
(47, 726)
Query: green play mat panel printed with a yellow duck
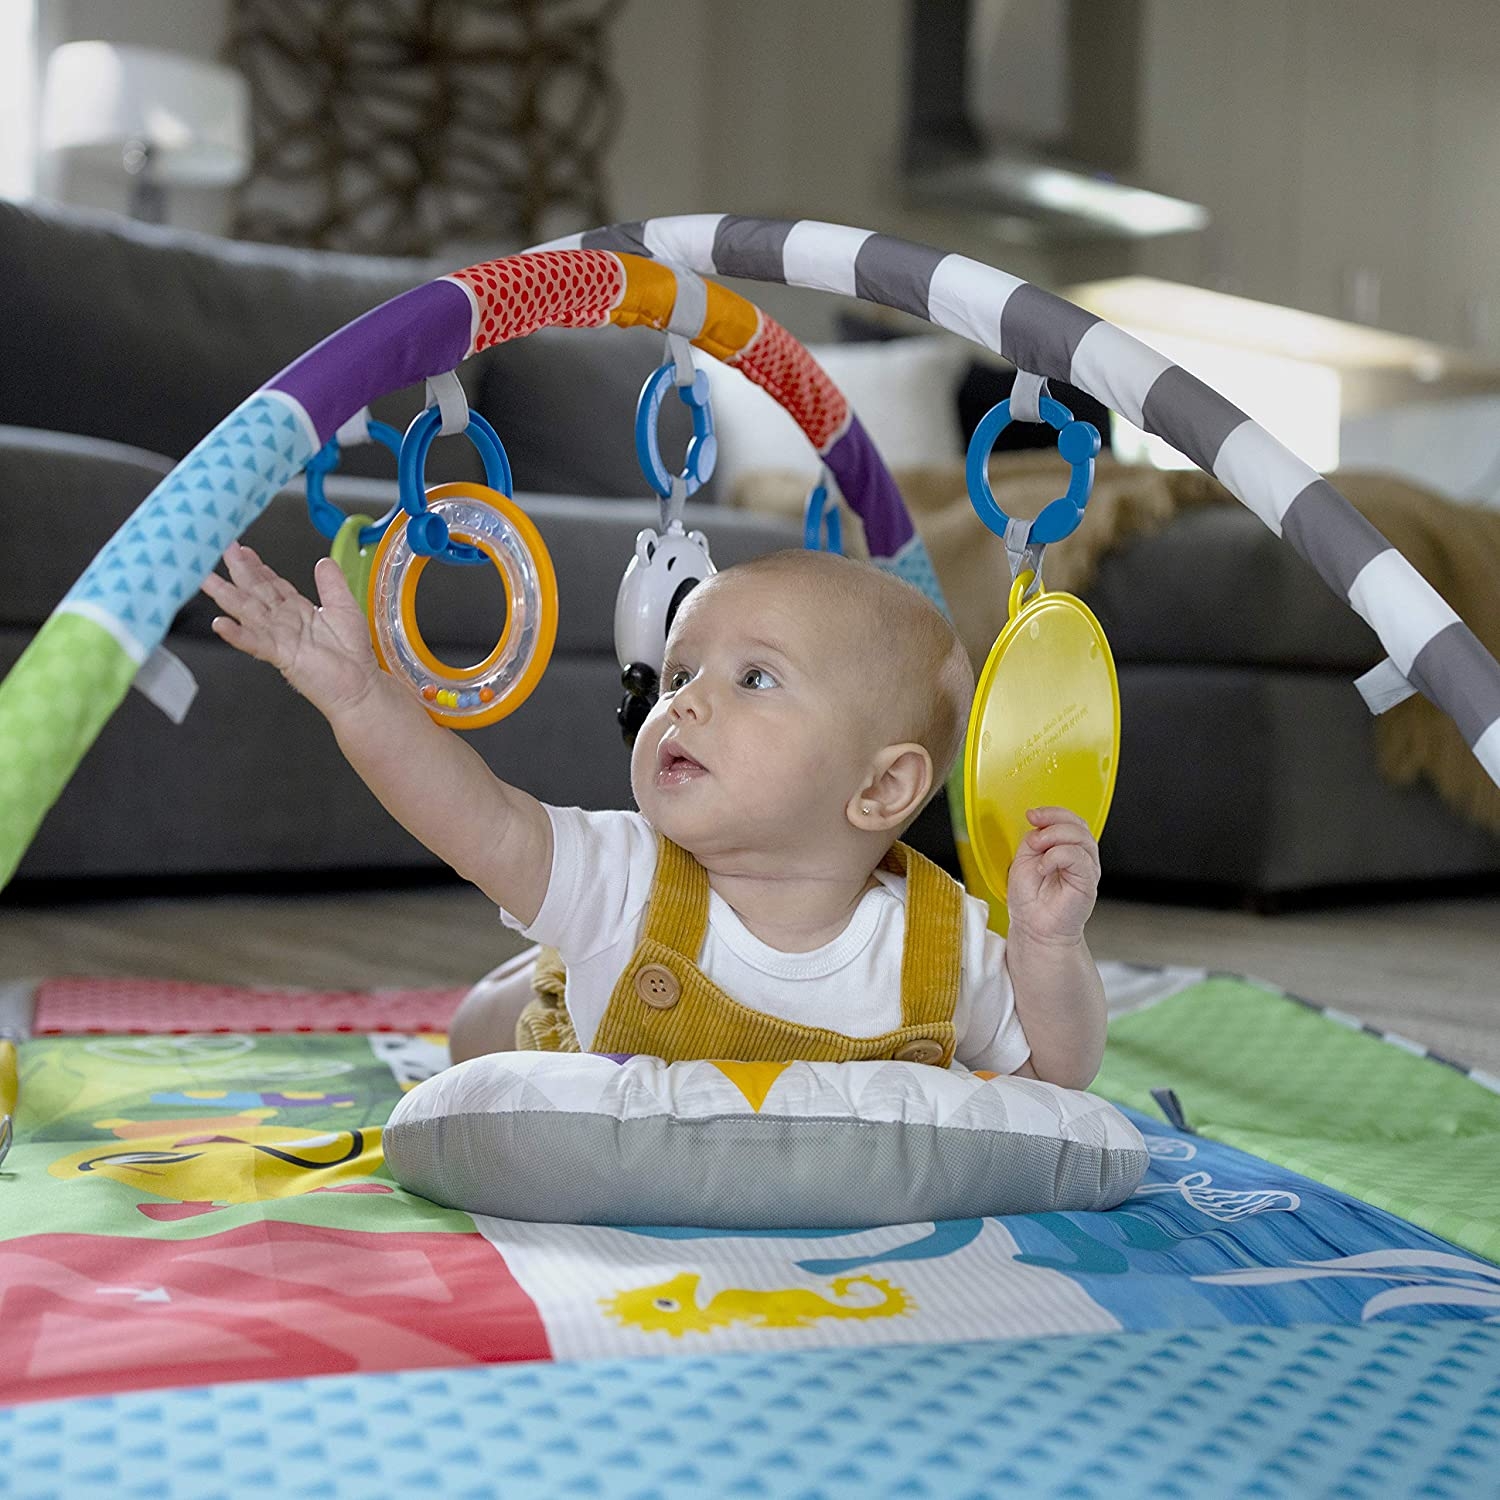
(176, 1138)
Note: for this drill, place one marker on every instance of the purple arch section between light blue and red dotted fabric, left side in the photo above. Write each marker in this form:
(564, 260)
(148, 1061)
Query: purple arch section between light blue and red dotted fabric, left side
(422, 332)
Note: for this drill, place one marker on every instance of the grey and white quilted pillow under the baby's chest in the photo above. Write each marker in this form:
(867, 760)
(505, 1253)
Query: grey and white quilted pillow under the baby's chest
(596, 1139)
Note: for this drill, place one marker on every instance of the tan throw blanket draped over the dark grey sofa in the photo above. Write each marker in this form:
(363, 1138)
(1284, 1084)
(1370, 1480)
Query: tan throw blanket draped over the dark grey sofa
(1454, 547)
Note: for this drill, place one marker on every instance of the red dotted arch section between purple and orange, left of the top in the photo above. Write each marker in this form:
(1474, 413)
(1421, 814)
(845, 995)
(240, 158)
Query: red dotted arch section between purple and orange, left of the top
(550, 289)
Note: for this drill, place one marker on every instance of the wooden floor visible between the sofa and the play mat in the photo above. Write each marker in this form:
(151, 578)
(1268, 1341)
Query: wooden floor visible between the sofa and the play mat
(1427, 970)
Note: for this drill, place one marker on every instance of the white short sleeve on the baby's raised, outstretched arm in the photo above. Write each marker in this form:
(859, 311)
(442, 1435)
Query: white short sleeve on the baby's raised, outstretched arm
(601, 881)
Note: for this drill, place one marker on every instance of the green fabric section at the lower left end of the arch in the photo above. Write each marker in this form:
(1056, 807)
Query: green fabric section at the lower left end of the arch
(53, 704)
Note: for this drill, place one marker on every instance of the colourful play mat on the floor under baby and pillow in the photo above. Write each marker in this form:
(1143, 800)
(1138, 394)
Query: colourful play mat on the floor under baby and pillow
(212, 1286)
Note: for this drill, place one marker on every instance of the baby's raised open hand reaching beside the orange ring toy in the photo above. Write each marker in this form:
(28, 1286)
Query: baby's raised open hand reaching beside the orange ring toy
(325, 653)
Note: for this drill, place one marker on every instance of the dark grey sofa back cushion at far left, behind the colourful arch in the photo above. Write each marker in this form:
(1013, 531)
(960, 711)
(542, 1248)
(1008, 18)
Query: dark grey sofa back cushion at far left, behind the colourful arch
(151, 337)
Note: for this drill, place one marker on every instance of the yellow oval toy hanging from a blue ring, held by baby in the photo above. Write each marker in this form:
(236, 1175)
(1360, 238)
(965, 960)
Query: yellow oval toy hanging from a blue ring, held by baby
(1046, 722)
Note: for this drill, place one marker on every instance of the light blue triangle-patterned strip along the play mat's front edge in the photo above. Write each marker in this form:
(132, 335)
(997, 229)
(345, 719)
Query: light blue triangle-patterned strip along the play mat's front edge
(1334, 1412)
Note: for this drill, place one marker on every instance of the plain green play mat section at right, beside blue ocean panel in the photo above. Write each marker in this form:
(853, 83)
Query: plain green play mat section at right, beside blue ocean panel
(1261, 1072)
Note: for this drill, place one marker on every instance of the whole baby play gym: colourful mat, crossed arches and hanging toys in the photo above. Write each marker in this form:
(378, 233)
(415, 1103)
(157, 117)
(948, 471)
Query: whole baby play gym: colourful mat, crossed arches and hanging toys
(211, 1285)
